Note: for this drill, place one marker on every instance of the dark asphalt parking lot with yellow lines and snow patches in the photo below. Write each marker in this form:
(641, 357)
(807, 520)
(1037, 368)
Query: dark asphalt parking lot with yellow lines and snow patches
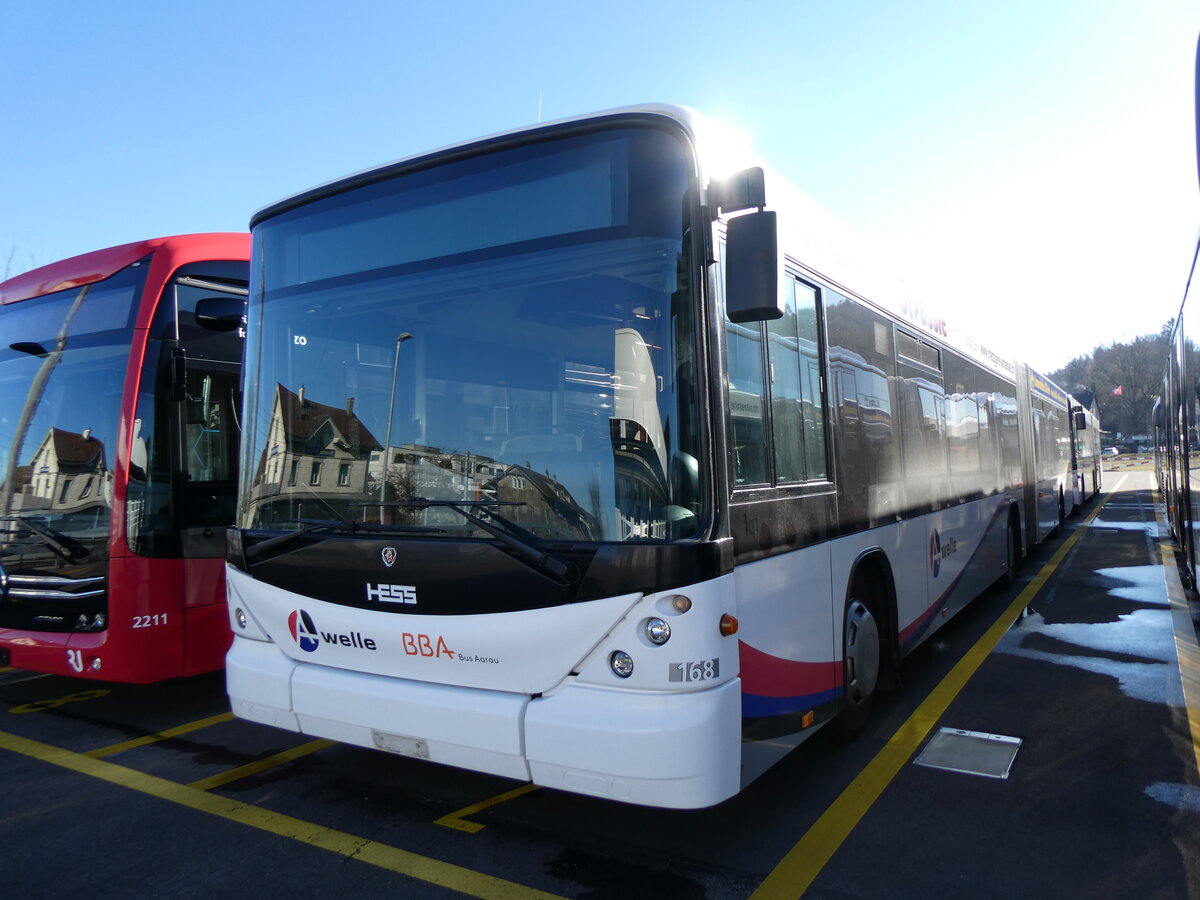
(1089, 662)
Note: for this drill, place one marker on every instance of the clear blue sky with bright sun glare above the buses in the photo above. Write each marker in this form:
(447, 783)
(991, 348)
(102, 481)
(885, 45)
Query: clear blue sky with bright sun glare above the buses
(1030, 164)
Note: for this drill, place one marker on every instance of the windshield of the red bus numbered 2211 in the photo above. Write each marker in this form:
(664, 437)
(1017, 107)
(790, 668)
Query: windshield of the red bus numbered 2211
(63, 364)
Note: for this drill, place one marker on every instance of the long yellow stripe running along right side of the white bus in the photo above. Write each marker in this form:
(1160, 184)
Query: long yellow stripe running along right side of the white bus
(802, 865)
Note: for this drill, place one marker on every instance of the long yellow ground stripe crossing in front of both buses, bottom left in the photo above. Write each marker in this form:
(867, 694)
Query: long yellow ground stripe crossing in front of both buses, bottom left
(404, 862)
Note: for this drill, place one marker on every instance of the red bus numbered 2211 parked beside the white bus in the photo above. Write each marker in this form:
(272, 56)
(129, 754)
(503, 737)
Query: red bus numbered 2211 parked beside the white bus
(119, 403)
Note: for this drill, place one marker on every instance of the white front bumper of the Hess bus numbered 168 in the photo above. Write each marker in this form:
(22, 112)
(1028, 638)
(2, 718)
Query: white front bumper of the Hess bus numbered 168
(677, 751)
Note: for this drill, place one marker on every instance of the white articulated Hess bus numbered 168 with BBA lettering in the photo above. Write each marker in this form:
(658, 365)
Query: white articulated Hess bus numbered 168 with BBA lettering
(580, 455)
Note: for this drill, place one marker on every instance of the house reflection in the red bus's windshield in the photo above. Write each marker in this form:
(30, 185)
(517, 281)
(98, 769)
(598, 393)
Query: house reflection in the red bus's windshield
(68, 475)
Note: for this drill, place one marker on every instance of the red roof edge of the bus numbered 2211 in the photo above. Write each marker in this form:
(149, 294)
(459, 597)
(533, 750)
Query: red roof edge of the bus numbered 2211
(100, 265)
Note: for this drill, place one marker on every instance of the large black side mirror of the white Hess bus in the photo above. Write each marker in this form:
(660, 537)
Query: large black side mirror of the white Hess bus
(752, 268)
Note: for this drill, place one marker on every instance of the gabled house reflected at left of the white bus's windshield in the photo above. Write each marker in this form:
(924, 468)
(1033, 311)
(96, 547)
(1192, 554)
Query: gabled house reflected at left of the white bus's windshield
(315, 453)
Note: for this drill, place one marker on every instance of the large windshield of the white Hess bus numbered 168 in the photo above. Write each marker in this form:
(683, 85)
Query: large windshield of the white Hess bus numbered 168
(512, 333)
